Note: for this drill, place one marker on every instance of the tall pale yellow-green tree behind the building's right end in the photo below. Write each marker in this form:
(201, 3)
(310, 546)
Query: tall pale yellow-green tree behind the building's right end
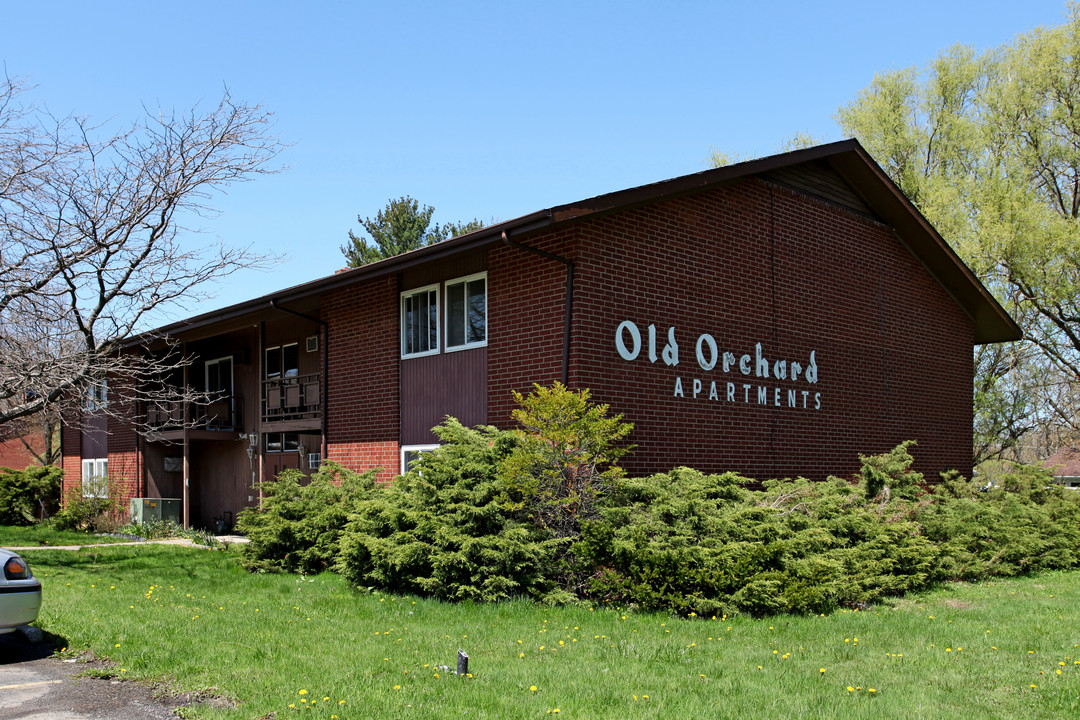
(987, 147)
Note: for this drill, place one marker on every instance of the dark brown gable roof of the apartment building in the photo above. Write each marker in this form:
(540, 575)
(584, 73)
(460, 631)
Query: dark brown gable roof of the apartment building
(865, 186)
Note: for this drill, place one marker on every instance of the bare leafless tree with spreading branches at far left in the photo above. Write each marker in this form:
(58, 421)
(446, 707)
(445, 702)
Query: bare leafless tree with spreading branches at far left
(92, 241)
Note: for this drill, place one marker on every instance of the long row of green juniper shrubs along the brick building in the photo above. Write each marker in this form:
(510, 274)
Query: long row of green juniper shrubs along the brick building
(683, 541)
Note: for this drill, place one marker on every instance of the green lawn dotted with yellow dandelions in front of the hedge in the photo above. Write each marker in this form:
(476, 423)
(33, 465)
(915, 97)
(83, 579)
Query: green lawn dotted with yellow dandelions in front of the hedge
(285, 645)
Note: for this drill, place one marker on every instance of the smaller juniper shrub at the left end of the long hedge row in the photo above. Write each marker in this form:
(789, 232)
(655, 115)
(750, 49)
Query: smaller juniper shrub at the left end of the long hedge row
(299, 524)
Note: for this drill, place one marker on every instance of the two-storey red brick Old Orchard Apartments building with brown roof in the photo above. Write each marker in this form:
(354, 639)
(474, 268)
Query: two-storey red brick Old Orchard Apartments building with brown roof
(776, 318)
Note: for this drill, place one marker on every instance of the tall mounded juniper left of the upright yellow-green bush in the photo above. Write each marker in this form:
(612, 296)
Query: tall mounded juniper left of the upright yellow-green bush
(445, 529)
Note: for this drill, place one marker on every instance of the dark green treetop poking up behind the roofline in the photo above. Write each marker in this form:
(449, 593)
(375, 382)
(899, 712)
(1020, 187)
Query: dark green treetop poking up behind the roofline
(402, 226)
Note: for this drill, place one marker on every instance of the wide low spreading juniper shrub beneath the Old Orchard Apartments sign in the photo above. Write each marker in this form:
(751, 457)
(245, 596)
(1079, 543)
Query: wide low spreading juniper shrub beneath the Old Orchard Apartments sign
(687, 542)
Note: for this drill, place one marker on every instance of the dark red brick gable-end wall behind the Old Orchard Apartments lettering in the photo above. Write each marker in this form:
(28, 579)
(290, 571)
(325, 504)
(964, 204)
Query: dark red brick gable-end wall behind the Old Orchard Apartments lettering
(758, 264)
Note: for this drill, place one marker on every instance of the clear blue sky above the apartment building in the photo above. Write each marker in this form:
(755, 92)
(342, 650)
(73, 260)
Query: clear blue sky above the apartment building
(481, 110)
